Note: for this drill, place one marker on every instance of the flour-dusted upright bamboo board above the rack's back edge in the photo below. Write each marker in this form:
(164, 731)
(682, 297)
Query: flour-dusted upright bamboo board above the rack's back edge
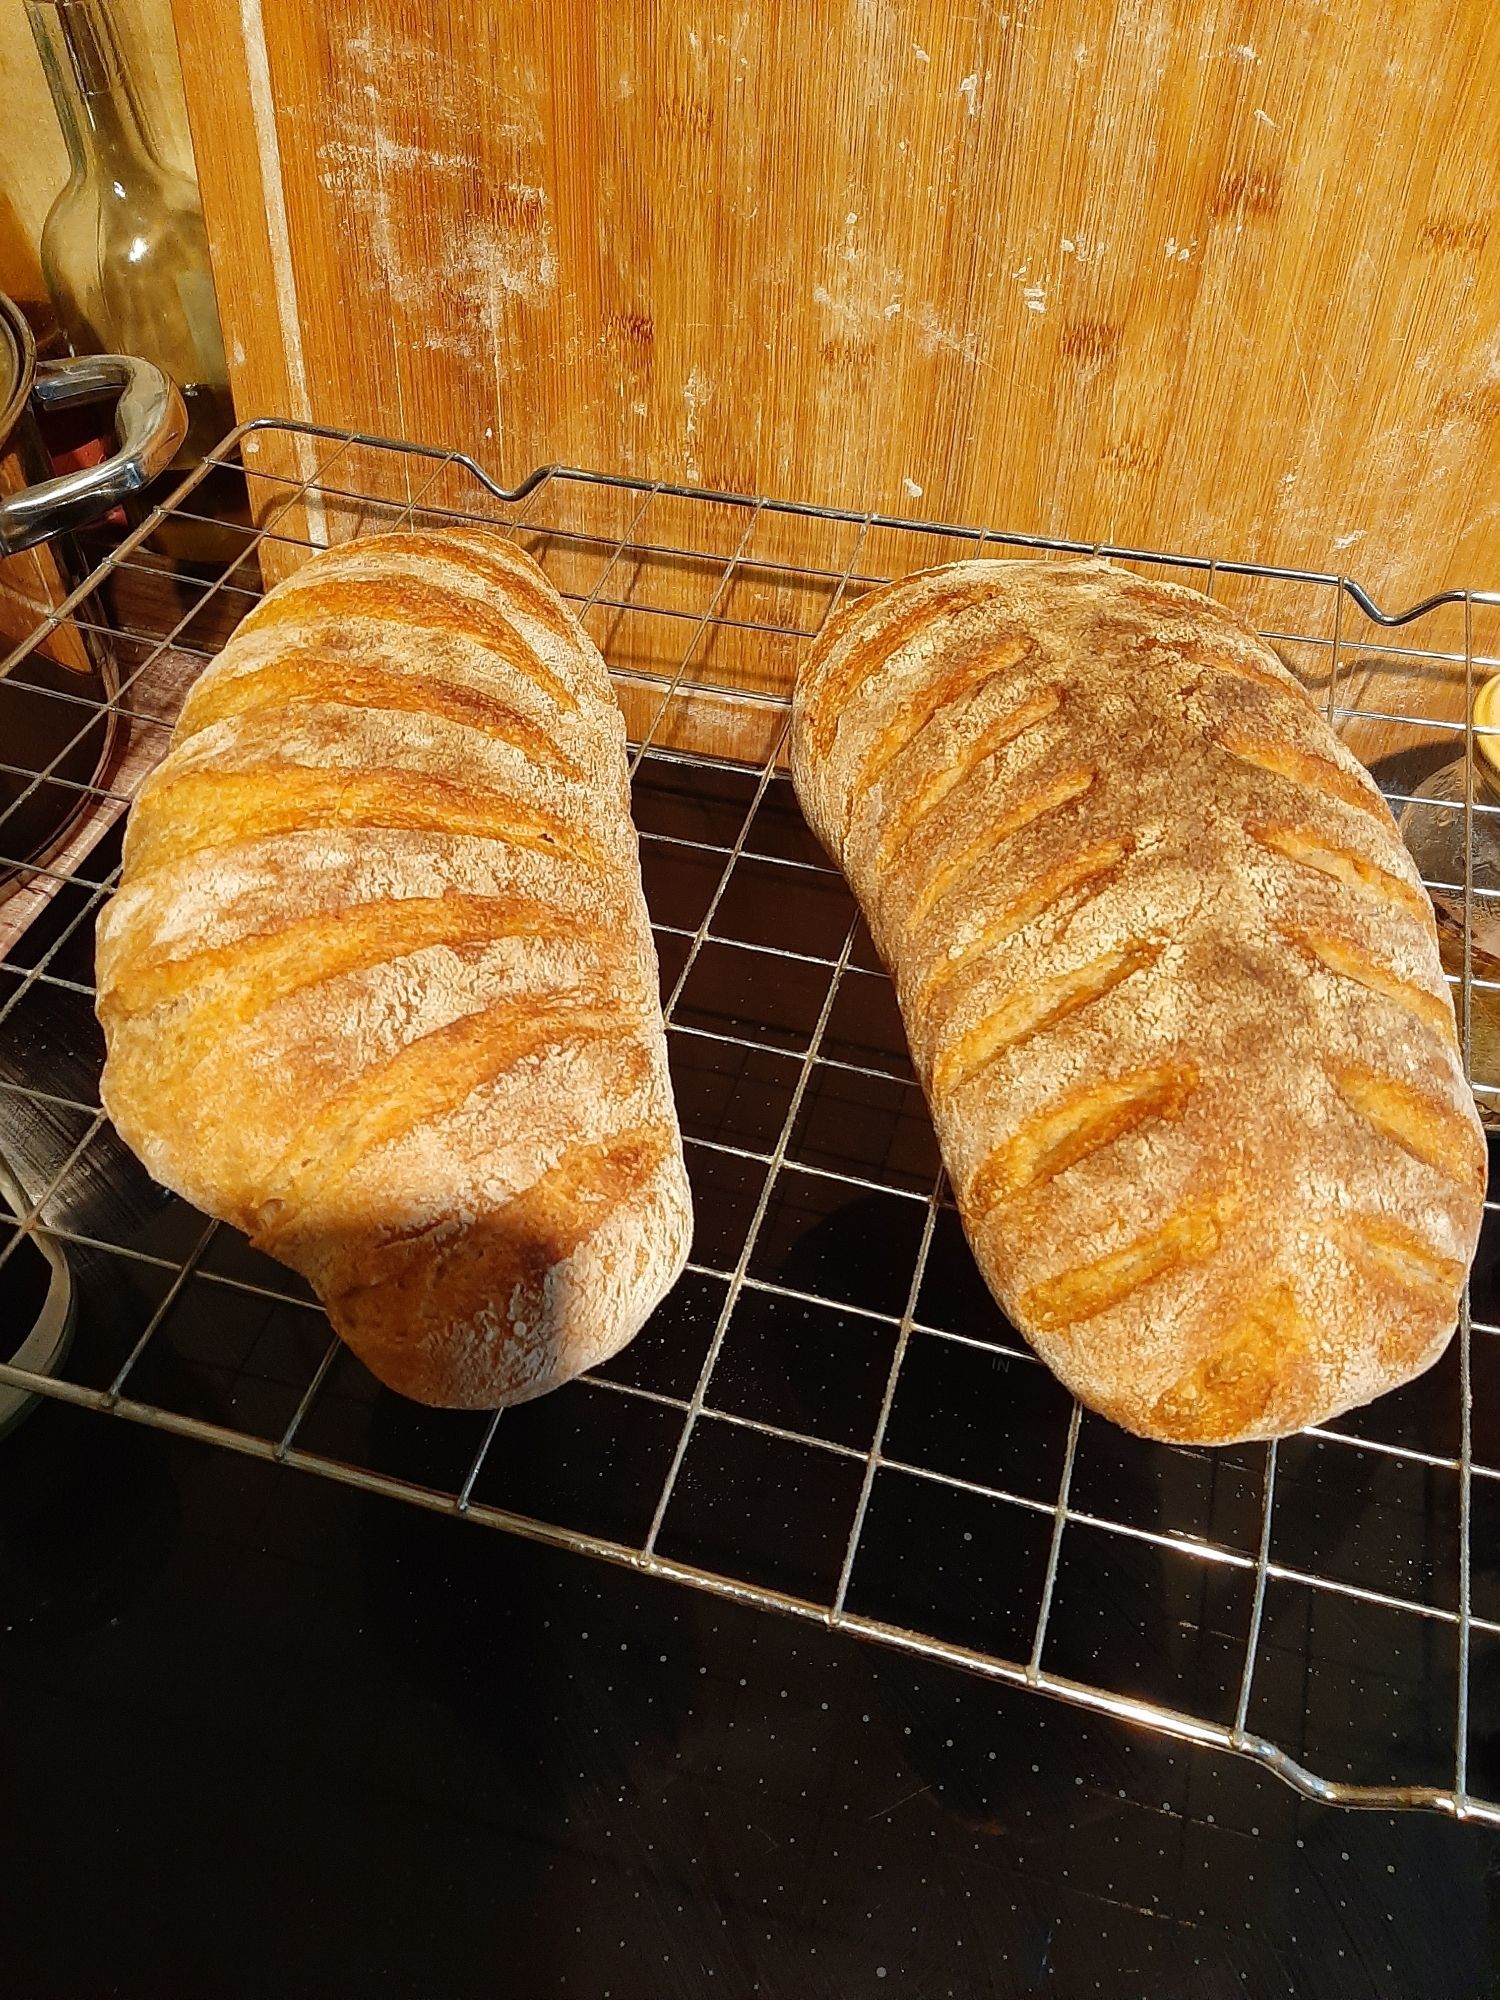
(1209, 275)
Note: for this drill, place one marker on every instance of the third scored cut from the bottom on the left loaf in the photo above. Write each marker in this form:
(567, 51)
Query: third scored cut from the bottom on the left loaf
(243, 979)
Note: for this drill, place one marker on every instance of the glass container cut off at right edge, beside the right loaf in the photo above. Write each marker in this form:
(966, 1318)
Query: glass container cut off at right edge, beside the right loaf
(1435, 829)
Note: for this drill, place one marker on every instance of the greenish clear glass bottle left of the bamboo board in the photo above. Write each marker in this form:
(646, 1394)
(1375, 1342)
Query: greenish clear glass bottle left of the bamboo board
(125, 253)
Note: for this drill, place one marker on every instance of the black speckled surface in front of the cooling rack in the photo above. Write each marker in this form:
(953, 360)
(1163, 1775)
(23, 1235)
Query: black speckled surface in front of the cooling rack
(267, 1735)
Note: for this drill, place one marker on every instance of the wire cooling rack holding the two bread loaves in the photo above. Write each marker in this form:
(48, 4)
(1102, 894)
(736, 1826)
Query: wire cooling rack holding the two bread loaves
(829, 1415)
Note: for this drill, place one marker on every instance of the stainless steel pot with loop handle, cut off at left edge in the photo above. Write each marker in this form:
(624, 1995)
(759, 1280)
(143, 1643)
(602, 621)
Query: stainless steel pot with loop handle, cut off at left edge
(57, 701)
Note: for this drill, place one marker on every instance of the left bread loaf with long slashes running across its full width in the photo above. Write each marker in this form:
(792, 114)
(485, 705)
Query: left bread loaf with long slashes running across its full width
(379, 983)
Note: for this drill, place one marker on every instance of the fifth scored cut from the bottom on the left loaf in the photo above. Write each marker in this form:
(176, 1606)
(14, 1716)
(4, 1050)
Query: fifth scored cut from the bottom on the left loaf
(327, 677)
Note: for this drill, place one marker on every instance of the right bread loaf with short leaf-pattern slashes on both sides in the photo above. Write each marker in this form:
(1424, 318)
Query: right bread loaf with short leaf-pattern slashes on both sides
(1171, 983)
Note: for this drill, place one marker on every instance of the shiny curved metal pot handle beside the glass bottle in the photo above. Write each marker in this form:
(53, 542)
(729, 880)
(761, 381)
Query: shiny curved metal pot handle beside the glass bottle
(151, 423)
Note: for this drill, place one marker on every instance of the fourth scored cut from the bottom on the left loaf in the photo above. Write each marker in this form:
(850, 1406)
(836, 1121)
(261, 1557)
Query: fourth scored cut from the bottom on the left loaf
(207, 809)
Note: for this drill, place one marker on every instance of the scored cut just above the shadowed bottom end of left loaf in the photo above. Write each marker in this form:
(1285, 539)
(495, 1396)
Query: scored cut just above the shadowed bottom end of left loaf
(425, 1081)
